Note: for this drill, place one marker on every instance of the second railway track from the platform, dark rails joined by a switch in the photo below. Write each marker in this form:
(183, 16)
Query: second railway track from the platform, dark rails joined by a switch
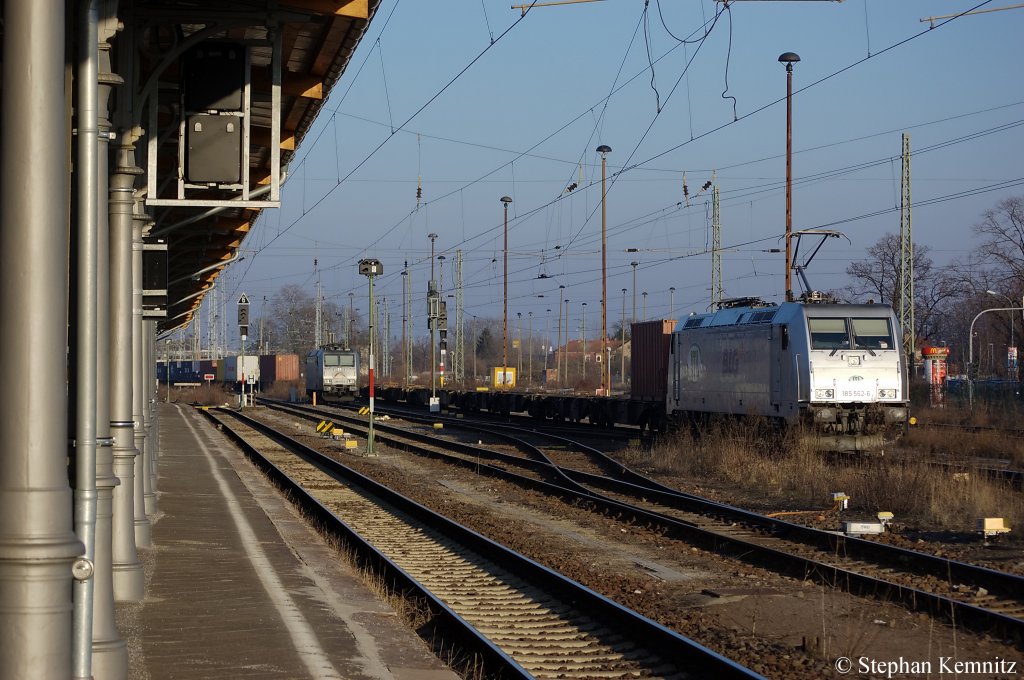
(984, 600)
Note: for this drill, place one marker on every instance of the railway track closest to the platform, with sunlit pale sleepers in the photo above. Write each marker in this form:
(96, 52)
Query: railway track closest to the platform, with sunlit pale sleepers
(522, 618)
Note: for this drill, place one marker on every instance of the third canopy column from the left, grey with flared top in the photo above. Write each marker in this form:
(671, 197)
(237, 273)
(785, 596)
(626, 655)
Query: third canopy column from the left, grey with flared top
(129, 576)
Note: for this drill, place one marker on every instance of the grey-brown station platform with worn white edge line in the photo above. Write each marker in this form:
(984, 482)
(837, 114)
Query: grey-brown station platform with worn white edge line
(238, 586)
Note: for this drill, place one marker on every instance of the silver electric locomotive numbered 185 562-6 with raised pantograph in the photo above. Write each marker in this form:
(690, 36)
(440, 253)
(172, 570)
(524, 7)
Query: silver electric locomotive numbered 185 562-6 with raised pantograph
(836, 369)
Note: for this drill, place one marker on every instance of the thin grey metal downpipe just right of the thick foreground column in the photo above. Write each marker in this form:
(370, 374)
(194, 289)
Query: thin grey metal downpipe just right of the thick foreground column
(84, 388)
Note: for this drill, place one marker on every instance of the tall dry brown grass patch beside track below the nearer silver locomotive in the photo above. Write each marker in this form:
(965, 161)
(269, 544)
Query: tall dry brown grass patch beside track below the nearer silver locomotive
(793, 477)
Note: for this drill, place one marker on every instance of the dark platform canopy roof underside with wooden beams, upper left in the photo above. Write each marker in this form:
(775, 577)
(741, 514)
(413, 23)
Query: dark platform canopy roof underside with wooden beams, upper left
(319, 38)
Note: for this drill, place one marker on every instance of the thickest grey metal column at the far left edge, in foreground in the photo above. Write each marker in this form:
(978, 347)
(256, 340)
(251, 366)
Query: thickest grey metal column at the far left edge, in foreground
(39, 546)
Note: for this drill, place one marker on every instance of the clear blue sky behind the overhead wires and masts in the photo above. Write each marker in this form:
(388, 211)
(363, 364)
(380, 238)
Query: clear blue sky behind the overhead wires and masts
(526, 116)
